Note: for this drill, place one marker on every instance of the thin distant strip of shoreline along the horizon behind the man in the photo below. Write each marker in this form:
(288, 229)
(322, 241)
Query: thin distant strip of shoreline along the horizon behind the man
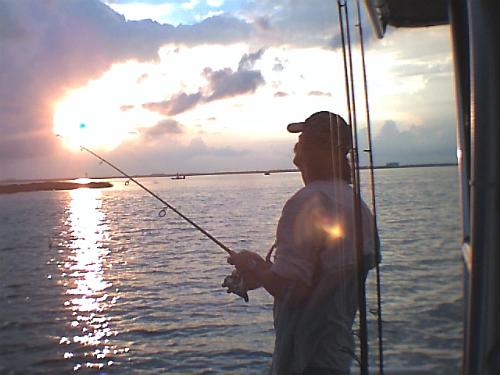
(194, 174)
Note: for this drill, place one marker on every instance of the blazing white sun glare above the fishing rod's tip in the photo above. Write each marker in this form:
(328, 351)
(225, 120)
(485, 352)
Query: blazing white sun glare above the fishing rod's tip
(104, 113)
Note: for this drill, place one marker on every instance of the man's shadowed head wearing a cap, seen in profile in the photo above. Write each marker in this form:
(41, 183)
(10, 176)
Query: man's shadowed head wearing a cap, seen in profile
(324, 141)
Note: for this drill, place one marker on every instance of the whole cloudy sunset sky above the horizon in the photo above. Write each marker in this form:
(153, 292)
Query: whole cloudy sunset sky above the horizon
(205, 85)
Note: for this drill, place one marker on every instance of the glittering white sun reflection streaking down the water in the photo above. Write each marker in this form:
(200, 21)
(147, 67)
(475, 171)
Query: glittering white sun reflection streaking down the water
(89, 291)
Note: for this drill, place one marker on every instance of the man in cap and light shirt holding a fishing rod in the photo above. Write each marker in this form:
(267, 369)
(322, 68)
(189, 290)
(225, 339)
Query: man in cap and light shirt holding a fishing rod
(314, 277)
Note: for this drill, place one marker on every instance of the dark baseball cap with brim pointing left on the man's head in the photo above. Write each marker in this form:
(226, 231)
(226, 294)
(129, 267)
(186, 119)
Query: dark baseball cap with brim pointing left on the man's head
(323, 129)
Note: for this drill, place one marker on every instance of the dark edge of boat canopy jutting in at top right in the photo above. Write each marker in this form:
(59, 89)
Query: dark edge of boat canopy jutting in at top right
(406, 13)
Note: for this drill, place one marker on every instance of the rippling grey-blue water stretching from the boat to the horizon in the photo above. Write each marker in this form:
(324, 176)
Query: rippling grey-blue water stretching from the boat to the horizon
(94, 281)
